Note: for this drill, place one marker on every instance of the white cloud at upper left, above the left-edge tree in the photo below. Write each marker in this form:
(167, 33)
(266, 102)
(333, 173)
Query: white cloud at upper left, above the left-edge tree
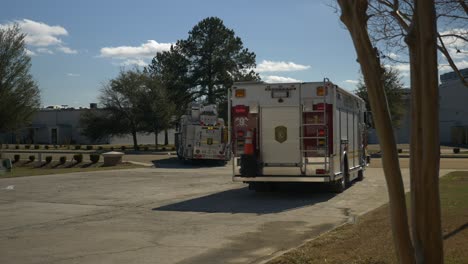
(39, 34)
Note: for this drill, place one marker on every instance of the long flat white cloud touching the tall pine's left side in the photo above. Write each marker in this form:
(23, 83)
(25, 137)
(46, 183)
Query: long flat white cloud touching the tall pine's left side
(145, 50)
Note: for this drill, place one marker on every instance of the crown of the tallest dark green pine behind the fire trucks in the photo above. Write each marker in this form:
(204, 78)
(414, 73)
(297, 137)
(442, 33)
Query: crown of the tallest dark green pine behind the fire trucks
(204, 66)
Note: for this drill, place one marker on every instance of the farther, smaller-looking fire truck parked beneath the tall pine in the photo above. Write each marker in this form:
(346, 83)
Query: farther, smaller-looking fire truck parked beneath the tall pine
(201, 135)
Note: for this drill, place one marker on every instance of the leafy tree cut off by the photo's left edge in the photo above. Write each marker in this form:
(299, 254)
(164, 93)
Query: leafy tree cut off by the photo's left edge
(19, 93)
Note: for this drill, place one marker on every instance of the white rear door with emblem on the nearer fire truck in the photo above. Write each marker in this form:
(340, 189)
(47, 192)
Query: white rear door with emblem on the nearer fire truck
(280, 135)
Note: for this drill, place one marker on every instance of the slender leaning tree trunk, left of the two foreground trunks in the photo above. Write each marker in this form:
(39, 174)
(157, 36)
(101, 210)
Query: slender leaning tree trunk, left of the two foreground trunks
(355, 18)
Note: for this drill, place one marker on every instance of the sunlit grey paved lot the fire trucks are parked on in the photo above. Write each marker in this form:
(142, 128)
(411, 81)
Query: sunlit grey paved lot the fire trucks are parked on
(170, 214)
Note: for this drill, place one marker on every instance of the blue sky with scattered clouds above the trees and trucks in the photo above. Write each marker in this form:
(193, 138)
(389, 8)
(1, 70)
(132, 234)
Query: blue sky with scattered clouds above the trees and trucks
(77, 46)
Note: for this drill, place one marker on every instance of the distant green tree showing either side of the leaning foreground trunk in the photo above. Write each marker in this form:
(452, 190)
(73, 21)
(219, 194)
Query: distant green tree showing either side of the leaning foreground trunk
(393, 89)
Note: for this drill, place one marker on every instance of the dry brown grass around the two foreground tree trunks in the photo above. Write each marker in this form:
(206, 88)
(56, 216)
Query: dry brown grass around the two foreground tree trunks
(370, 240)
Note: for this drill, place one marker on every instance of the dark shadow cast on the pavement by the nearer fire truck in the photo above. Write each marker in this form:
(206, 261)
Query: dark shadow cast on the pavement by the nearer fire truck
(244, 200)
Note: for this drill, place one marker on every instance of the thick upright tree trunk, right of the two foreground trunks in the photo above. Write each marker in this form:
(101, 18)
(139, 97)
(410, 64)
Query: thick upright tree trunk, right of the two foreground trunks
(425, 149)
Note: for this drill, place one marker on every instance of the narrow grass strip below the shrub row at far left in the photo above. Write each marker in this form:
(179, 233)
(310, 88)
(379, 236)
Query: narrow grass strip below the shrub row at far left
(33, 169)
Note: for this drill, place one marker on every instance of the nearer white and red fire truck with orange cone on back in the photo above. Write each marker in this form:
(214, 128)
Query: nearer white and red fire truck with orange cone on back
(296, 132)
